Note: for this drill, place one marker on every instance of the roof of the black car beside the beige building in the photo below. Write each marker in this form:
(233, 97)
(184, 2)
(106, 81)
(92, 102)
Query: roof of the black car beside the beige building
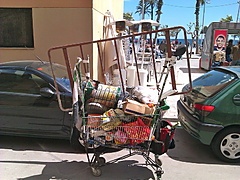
(25, 63)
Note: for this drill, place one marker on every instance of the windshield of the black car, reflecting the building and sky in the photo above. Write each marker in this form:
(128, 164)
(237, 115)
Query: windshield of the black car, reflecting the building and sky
(60, 72)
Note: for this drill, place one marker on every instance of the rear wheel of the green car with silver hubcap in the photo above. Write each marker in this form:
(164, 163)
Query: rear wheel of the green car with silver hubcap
(226, 145)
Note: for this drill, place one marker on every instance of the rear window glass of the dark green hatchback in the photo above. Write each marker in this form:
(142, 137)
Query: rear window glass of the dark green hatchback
(212, 82)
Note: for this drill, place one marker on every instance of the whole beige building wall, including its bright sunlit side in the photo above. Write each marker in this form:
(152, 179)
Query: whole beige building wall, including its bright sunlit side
(60, 22)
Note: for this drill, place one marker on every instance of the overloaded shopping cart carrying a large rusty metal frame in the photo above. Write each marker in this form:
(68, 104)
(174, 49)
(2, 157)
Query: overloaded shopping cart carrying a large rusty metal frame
(118, 121)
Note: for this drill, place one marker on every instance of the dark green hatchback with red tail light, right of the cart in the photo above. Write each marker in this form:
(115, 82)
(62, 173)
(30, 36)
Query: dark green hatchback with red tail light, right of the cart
(211, 111)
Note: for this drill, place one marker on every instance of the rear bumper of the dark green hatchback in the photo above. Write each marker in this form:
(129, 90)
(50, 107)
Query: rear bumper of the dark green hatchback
(200, 130)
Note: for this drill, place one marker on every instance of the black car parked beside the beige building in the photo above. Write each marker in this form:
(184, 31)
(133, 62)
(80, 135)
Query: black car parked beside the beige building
(28, 101)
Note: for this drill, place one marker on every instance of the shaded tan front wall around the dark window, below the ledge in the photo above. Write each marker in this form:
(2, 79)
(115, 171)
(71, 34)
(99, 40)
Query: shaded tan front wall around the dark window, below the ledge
(53, 27)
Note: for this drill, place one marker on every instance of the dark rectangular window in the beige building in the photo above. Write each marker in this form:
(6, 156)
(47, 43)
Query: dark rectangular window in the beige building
(16, 27)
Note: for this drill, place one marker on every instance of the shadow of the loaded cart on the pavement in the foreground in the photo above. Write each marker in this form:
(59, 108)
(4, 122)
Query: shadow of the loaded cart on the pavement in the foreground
(74, 170)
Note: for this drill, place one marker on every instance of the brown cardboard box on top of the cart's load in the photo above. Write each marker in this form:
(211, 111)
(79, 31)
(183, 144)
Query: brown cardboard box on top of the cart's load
(135, 107)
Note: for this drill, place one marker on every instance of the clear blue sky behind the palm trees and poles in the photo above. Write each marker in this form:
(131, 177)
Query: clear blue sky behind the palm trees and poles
(181, 12)
